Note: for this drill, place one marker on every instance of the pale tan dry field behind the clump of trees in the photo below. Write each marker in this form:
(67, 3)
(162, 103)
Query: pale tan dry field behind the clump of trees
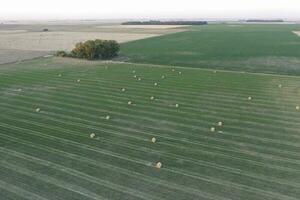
(24, 41)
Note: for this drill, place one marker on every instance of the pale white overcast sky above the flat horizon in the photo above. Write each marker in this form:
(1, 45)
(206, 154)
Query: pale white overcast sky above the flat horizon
(147, 9)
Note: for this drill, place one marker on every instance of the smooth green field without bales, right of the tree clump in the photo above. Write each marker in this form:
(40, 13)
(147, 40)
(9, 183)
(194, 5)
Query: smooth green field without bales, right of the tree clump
(254, 48)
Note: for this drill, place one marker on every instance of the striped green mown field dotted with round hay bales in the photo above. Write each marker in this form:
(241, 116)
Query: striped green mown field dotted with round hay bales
(49, 155)
